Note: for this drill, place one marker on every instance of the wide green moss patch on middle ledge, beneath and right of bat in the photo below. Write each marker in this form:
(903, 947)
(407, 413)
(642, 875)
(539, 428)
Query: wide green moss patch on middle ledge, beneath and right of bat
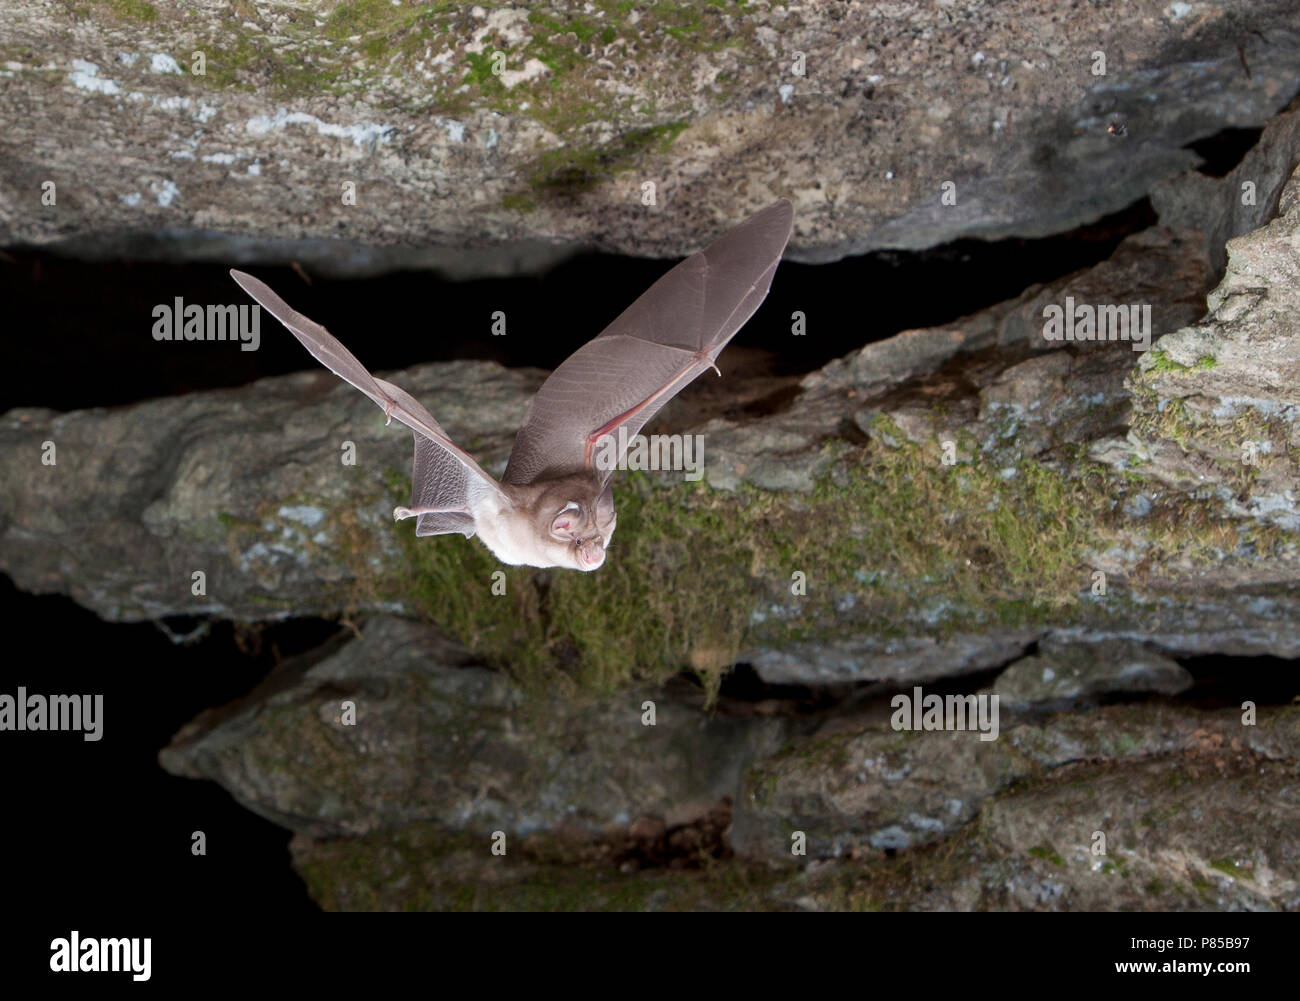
(916, 544)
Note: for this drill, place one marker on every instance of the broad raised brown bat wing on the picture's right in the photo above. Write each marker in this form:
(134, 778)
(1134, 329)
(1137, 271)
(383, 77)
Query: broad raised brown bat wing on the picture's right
(657, 346)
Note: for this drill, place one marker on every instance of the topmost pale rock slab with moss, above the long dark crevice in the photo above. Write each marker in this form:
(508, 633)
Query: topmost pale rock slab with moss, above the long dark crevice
(210, 131)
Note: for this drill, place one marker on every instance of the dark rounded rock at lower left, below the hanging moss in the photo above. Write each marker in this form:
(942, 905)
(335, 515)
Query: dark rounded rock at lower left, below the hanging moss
(463, 746)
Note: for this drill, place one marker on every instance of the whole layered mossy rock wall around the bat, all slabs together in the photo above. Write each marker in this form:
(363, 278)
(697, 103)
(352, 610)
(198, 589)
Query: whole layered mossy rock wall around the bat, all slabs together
(983, 510)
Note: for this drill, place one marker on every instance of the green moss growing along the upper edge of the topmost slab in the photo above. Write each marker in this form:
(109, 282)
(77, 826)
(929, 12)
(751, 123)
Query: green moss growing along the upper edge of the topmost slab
(366, 45)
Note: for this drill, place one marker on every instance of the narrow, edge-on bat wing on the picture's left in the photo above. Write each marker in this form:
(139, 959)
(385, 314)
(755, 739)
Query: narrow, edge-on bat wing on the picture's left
(448, 486)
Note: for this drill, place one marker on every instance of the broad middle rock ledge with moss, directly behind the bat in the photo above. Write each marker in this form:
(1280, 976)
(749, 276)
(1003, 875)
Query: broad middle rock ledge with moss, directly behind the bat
(950, 496)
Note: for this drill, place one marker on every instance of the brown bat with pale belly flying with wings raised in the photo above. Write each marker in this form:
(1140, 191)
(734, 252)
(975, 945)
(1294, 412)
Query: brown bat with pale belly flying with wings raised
(554, 506)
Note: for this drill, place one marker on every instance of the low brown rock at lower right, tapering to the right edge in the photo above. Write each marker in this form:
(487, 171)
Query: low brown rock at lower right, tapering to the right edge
(859, 792)
